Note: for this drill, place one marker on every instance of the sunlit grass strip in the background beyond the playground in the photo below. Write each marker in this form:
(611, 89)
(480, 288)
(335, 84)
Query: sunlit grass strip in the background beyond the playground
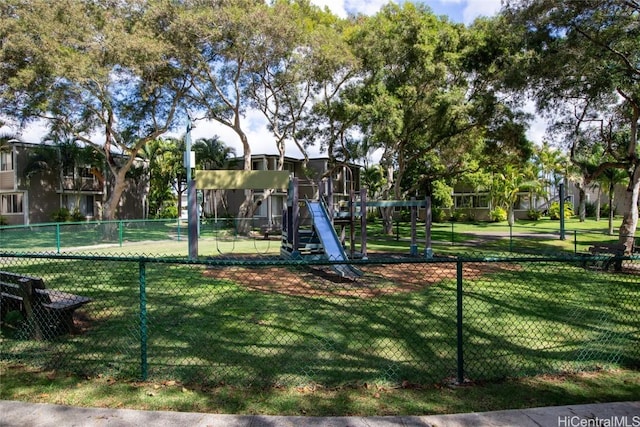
(135, 237)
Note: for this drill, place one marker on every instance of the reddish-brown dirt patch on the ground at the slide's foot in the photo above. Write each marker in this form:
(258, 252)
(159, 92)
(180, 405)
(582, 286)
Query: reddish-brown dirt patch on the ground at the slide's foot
(377, 279)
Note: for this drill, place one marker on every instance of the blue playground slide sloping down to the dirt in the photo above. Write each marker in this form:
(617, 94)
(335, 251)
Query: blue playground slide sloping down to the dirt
(330, 242)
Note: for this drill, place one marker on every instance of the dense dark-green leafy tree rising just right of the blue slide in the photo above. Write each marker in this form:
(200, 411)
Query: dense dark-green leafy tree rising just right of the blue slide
(429, 96)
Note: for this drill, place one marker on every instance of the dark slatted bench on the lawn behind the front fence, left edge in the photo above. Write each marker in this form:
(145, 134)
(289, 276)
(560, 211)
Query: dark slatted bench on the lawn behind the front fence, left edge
(48, 312)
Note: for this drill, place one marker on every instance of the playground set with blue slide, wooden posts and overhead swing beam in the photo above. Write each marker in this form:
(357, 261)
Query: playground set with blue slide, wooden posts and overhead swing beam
(320, 240)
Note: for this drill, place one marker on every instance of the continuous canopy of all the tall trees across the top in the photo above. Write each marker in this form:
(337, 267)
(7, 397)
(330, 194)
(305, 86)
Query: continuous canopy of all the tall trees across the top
(439, 100)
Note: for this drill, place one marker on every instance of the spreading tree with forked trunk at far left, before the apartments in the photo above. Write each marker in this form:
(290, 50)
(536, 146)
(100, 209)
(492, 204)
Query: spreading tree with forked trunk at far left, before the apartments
(93, 70)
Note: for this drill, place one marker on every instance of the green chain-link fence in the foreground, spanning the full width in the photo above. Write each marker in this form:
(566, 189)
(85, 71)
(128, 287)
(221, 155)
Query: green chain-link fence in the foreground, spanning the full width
(269, 321)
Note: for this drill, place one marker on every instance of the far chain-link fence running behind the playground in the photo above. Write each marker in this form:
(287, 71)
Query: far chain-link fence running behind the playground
(222, 236)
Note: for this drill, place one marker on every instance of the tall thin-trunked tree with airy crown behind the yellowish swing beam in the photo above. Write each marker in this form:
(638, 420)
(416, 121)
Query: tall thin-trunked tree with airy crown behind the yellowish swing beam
(246, 54)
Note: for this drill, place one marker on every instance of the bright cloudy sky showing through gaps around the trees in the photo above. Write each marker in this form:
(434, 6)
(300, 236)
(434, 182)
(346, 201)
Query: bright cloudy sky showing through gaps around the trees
(262, 142)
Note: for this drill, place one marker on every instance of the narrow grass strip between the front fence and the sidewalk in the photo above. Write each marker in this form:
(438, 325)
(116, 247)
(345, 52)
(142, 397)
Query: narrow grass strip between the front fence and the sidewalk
(20, 382)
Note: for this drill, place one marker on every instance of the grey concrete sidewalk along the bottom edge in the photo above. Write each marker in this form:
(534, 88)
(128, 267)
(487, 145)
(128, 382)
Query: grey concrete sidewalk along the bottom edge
(621, 414)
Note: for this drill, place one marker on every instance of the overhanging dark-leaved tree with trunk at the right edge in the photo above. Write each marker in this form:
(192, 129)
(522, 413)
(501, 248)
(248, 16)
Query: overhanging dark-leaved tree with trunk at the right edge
(584, 67)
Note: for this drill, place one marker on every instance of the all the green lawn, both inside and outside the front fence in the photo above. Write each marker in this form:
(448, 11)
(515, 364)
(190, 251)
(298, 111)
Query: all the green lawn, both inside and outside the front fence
(239, 344)
